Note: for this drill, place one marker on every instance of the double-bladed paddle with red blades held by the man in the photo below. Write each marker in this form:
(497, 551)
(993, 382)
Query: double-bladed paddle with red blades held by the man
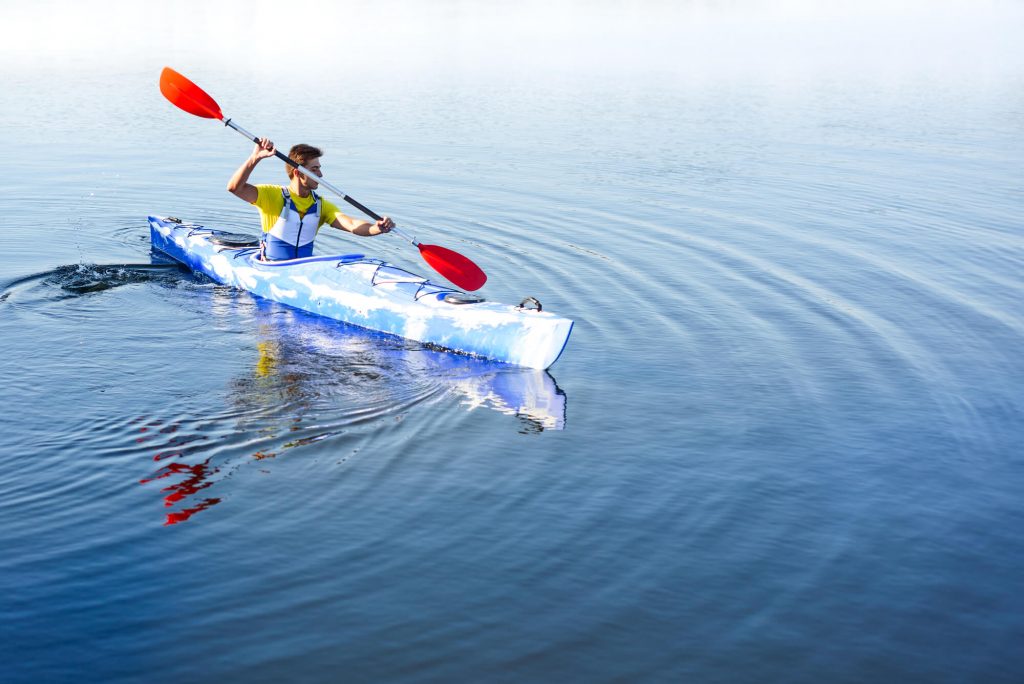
(189, 97)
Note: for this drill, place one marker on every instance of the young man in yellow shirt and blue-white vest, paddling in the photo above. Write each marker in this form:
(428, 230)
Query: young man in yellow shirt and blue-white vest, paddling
(292, 216)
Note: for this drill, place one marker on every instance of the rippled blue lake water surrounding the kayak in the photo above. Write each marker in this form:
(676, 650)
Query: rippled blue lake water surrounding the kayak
(784, 444)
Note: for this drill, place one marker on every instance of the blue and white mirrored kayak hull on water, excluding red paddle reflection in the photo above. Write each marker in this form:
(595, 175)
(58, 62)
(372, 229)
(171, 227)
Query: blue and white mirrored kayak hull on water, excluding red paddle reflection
(305, 359)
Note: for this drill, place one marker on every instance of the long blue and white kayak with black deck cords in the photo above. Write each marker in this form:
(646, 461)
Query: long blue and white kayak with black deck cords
(371, 293)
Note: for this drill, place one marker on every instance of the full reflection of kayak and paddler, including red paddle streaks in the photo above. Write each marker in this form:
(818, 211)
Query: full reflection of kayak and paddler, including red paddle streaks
(315, 381)
